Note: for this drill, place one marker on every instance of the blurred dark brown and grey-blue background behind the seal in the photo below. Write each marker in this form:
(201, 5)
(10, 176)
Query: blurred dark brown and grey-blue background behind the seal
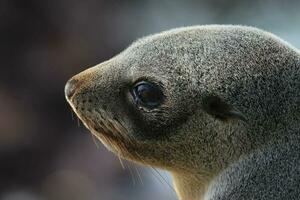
(45, 154)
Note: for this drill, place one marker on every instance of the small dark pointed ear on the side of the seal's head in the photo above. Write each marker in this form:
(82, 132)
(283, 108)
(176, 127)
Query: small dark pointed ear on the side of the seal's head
(218, 108)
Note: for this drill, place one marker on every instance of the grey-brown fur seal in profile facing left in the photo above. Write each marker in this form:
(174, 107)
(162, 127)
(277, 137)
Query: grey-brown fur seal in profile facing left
(199, 102)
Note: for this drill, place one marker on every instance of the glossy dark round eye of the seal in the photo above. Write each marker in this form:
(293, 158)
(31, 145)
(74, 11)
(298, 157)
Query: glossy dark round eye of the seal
(147, 94)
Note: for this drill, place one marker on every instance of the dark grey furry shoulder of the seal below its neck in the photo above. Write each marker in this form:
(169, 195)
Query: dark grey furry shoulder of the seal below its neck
(272, 172)
